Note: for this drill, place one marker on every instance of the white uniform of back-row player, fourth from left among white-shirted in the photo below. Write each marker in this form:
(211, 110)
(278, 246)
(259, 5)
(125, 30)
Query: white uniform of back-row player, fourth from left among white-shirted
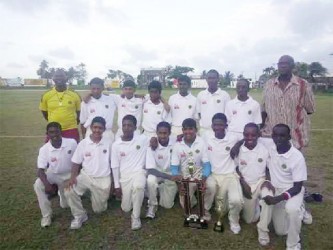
(181, 108)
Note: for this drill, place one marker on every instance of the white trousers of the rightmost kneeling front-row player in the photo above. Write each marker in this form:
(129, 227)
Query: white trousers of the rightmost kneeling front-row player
(287, 217)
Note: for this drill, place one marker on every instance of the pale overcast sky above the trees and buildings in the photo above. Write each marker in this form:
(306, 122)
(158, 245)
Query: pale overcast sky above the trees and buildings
(241, 36)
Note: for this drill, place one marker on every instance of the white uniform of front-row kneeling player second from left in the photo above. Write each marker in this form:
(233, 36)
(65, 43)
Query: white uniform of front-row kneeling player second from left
(94, 176)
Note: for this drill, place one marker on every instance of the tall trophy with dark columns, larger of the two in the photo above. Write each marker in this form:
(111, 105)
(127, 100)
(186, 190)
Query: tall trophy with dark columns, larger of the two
(192, 219)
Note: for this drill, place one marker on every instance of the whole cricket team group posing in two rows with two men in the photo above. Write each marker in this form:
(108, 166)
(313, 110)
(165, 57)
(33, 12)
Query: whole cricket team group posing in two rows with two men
(249, 156)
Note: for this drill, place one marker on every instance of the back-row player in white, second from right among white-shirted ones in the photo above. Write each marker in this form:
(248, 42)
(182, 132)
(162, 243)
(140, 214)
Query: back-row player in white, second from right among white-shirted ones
(210, 101)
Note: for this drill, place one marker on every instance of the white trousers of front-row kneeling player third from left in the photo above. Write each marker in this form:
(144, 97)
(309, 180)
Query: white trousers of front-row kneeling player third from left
(132, 188)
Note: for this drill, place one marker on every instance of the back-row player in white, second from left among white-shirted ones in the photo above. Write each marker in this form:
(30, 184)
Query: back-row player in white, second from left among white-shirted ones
(128, 104)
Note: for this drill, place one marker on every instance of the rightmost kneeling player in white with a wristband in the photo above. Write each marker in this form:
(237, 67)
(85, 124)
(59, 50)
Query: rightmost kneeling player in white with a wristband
(288, 171)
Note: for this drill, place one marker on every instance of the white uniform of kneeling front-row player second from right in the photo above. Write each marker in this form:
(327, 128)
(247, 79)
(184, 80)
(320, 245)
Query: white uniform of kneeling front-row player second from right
(252, 165)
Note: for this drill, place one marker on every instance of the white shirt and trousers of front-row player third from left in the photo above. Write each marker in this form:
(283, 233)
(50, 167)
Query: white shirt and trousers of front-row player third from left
(127, 162)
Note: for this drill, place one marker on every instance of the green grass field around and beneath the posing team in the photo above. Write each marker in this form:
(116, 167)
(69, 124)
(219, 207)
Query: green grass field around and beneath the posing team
(21, 135)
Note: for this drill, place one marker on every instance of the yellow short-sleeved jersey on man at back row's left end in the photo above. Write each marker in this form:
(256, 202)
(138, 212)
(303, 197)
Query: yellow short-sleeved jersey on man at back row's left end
(61, 107)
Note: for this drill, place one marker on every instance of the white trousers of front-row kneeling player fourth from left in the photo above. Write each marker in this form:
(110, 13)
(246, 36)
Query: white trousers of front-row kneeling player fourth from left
(167, 190)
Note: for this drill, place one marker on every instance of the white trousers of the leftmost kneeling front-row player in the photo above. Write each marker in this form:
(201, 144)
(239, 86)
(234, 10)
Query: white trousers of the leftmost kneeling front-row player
(43, 201)
